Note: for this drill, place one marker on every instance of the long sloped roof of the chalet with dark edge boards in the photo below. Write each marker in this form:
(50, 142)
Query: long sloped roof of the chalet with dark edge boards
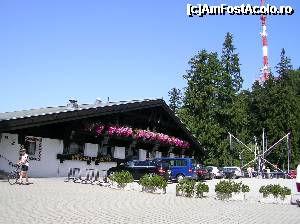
(16, 120)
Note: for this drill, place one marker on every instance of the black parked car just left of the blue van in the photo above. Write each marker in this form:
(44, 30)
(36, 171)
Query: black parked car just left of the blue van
(139, 168)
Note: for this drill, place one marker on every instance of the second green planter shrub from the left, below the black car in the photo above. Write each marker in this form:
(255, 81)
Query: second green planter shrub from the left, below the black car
(151, 183)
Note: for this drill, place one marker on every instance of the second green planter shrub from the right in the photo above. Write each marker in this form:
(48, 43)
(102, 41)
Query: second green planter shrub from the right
(226, 189)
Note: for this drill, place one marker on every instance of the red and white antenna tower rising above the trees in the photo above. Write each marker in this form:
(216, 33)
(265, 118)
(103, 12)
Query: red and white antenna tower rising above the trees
(265, 68)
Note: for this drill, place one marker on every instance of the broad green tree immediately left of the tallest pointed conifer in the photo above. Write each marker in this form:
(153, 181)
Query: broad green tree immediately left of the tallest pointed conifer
(205, 108)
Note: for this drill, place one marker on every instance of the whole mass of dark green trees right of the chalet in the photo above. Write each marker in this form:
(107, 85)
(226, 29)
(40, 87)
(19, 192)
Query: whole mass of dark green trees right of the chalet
(214, 104)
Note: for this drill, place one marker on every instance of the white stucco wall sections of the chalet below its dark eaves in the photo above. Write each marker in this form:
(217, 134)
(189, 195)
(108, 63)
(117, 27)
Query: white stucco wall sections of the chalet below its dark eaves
(49, 166)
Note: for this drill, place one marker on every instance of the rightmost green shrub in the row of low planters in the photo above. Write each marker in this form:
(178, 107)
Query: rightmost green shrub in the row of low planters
(276, 190)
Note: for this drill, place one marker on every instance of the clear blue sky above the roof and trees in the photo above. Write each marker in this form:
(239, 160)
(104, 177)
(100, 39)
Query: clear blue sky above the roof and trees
(53, 50)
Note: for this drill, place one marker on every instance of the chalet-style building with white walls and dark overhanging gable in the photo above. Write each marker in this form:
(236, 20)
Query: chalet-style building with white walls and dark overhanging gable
(77, 136)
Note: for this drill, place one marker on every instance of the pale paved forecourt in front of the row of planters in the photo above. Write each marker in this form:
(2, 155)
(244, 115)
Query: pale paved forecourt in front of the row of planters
(54, 201)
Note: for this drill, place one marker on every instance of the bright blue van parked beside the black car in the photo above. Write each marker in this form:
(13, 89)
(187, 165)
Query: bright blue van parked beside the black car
(181, 168)
